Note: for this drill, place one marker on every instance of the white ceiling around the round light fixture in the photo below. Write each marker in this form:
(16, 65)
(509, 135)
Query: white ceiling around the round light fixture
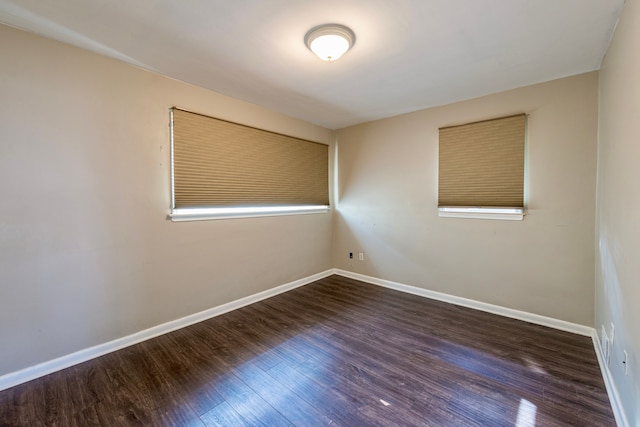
(408, 55)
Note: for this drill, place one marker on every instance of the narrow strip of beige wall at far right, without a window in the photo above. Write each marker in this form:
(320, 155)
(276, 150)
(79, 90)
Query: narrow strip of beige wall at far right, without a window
(618, 217)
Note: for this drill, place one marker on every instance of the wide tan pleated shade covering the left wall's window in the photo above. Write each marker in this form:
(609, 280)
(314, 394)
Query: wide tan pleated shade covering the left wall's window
(217, 163)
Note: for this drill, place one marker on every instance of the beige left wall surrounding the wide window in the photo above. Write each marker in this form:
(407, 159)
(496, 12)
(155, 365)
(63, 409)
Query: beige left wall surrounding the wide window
(86, 254)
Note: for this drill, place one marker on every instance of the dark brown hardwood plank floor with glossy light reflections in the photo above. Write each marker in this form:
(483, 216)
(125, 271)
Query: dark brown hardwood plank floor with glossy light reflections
(336, 352)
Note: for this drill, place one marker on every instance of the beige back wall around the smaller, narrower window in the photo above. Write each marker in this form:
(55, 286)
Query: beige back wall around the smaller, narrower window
(387, 205)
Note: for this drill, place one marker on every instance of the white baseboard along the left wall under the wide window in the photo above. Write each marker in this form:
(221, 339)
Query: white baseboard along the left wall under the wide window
(31, 373)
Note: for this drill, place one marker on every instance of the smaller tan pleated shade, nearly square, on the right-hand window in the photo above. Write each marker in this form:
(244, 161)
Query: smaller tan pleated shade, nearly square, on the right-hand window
(482, 163)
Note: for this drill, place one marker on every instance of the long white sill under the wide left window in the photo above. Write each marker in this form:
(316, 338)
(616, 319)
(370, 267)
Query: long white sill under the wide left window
(203, 214)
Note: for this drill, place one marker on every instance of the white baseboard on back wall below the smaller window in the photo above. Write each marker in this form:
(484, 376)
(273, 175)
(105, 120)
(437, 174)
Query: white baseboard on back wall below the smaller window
(477, 305)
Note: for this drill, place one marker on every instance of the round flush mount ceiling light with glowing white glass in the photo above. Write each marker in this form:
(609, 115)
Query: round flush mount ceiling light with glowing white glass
(329, 41)
